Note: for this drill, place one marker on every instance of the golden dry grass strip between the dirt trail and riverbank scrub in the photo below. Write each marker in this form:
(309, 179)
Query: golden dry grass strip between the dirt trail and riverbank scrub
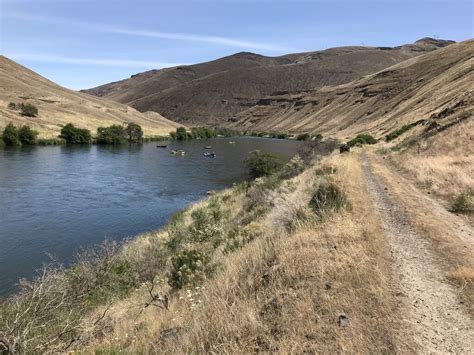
(282, 292)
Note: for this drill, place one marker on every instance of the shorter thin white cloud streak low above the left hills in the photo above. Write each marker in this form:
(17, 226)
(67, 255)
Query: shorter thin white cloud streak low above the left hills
(90, 61)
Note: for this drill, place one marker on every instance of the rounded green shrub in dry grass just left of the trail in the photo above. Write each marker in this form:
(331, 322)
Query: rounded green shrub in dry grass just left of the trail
(328, 198)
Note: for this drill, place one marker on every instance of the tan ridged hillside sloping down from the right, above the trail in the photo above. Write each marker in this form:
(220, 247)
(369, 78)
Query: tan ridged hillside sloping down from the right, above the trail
(436, 87)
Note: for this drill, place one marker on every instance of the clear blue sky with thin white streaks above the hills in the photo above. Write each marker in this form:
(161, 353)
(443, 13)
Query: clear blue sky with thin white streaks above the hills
(80, 44)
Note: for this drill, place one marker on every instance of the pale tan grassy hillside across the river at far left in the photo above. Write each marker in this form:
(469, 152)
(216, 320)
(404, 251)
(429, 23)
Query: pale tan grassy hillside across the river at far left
(59, 106)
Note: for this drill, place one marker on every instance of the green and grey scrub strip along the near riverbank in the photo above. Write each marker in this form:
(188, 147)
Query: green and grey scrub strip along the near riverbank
(65, 308)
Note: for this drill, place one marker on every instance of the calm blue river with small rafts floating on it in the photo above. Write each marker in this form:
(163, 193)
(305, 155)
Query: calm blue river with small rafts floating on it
(57, 199)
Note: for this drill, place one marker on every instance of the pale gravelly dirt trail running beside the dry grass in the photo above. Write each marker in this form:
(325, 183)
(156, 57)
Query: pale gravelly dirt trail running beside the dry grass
(434, 320)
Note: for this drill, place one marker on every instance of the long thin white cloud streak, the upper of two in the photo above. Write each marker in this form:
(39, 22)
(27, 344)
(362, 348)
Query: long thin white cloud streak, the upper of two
(217, 40)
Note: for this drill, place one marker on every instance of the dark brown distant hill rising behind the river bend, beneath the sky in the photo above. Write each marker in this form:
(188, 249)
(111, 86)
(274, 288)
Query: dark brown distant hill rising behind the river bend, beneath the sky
(212, 92)
